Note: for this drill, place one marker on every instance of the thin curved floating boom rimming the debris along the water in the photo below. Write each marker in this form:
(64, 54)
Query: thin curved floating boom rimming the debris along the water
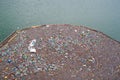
(14, 34)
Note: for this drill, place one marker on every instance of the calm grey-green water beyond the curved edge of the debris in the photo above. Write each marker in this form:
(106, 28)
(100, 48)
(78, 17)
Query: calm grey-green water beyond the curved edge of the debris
(102, 15)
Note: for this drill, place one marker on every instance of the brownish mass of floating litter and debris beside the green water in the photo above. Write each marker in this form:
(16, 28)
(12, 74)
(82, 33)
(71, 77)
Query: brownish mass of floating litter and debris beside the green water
(59, 52)
